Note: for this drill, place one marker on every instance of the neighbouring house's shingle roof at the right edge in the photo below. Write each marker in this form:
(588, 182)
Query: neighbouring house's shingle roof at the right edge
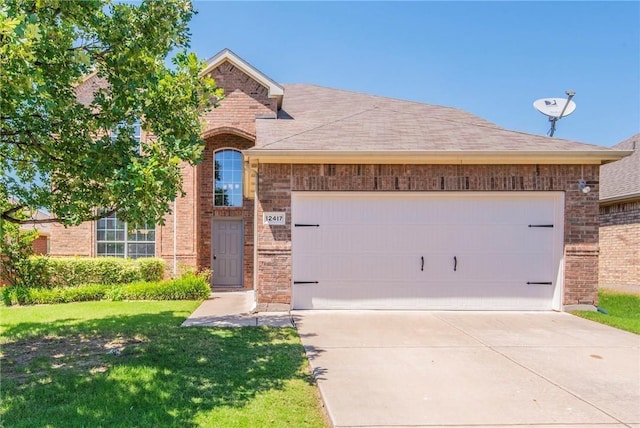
(621, 179)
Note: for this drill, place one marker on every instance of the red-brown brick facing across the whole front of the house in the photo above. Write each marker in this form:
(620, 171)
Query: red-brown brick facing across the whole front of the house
(232, 125)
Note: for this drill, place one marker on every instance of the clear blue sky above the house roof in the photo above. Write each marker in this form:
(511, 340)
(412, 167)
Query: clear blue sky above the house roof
(492, 59)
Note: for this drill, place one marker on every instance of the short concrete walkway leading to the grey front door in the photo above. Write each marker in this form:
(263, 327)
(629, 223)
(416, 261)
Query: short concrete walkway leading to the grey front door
(234, 309)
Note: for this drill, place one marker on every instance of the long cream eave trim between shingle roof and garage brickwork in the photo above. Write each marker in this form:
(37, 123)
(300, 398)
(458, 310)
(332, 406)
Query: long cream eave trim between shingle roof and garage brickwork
(433, 157)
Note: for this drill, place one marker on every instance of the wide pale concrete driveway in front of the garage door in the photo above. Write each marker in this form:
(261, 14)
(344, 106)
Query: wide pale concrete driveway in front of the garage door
(383, 368)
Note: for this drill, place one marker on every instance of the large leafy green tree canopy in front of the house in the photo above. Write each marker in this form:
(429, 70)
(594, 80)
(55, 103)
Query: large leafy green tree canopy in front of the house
(57, 149)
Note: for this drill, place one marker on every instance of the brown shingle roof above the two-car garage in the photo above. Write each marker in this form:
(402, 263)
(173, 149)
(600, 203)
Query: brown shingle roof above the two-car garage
(319, 118)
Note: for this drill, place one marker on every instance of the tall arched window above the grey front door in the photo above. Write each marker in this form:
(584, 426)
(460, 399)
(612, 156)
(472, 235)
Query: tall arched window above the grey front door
(228, 177)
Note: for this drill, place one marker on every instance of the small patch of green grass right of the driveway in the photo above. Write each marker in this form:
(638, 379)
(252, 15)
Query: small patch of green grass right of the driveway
(623, 311)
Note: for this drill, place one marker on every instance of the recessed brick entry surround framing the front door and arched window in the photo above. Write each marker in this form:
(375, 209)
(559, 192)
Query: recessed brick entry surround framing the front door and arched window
(207, 212)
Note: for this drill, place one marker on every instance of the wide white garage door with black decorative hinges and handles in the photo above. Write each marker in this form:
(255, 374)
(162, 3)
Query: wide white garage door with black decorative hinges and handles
(460, 251)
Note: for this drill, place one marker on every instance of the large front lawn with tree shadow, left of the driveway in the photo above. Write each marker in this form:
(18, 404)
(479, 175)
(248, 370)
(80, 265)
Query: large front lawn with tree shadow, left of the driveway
(130, 364)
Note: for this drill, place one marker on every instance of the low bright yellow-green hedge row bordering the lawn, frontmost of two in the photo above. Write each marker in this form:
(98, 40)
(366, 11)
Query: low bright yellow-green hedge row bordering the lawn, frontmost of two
(187, 287)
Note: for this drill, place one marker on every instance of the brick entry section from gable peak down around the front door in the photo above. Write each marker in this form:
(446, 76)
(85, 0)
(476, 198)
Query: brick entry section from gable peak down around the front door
(235, 117)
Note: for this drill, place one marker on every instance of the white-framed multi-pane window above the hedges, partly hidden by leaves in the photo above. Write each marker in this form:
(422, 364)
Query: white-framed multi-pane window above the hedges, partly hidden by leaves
(114, 240)
